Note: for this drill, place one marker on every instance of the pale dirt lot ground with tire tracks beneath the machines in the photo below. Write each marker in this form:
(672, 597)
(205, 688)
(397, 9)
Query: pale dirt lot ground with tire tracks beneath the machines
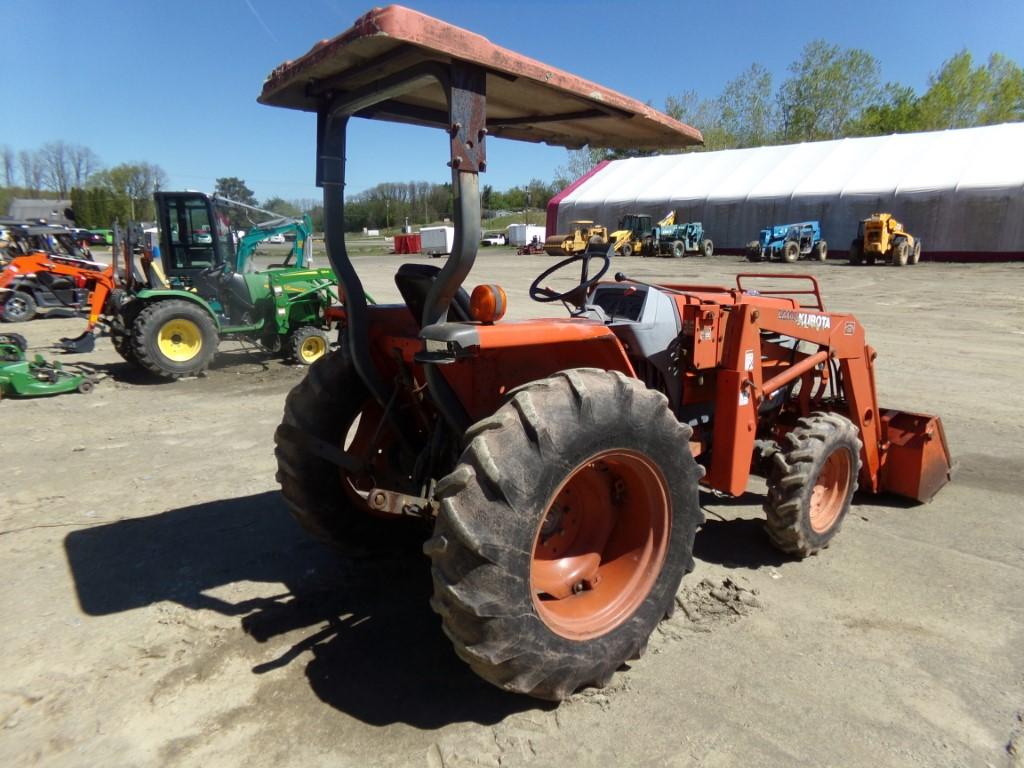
(162, 609)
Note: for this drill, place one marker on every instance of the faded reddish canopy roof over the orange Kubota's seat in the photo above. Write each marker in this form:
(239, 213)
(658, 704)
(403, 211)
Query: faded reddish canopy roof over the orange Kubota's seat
(527, 100)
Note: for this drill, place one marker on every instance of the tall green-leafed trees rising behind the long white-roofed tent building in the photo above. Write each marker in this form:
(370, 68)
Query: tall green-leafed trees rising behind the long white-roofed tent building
(834, 93)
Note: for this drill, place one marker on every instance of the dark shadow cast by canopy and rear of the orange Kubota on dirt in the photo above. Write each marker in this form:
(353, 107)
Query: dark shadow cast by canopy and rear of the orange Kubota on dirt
(378, 651)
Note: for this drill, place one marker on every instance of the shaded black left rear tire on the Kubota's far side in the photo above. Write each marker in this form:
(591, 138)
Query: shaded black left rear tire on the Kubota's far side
(322, 497)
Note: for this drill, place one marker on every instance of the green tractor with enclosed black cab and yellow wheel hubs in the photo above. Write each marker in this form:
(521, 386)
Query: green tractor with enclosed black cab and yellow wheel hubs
(208, 290)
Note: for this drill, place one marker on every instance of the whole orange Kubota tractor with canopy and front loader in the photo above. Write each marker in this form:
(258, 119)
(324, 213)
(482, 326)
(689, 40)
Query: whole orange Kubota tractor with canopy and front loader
(554, 465)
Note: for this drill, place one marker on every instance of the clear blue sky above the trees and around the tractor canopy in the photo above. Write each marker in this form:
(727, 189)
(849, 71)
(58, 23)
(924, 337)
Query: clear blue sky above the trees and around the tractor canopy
(176, 83)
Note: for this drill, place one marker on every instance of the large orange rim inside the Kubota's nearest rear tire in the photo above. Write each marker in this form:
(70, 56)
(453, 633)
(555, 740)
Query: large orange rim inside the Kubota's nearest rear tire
(602, 545)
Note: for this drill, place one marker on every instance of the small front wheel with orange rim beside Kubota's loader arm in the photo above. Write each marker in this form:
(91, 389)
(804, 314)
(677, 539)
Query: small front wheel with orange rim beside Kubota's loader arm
(812, 483)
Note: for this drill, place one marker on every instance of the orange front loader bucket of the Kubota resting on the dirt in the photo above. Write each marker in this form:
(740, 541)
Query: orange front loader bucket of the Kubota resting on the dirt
(916, 460)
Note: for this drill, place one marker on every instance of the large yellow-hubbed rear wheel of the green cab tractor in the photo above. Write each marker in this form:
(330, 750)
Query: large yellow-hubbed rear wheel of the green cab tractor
(173, 338)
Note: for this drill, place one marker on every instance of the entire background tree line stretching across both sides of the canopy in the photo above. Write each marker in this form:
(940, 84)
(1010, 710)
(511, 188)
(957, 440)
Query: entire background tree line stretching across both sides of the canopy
(831, 93)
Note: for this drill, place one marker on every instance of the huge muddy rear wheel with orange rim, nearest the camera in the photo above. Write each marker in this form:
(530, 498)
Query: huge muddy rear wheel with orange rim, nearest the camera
(524, 617)
